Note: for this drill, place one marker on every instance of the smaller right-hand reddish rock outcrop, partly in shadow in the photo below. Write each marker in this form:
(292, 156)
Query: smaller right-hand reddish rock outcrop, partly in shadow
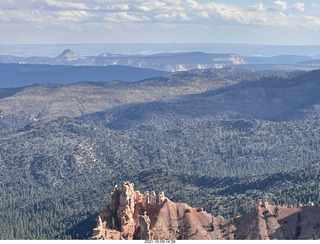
(267, 222)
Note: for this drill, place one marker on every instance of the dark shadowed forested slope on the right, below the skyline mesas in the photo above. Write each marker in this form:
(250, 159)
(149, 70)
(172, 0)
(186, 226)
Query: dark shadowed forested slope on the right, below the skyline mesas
(272, 98)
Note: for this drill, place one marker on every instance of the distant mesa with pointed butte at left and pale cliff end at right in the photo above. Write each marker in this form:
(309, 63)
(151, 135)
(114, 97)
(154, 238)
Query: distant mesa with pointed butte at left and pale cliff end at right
(164, 61)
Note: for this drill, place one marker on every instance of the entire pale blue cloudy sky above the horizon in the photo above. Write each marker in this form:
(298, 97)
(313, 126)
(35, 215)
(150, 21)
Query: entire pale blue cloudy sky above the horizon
(277, 22)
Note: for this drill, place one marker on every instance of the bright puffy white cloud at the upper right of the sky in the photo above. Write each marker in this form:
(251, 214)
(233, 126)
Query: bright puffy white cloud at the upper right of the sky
(279, 13)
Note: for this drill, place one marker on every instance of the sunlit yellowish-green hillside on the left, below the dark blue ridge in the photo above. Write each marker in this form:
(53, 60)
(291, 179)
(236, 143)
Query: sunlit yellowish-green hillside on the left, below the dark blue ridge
(21, 106)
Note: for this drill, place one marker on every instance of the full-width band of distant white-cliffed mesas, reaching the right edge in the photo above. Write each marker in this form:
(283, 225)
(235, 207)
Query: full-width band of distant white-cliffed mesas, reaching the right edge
(173, 62)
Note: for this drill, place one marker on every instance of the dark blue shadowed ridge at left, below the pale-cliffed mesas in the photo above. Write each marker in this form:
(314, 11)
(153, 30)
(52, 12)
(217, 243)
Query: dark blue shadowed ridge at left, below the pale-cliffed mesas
(17, 75)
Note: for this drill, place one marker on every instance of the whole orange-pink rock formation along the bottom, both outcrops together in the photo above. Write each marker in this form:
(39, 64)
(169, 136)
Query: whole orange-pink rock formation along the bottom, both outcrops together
(132, 215)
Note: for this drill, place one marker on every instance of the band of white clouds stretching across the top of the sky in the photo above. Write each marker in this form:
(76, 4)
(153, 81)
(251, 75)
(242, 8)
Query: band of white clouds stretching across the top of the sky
(276, 13)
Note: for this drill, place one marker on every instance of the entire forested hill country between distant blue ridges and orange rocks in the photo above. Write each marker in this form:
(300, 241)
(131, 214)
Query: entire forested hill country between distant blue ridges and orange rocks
(218, 139)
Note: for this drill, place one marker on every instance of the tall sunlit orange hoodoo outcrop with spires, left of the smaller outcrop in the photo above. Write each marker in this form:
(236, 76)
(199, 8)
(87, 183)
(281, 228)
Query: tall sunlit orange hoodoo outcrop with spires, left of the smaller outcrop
(132, 215)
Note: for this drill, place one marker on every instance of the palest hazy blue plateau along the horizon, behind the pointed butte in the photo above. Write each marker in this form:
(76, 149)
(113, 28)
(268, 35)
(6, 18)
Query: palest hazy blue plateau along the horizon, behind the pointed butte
(245, 50)
